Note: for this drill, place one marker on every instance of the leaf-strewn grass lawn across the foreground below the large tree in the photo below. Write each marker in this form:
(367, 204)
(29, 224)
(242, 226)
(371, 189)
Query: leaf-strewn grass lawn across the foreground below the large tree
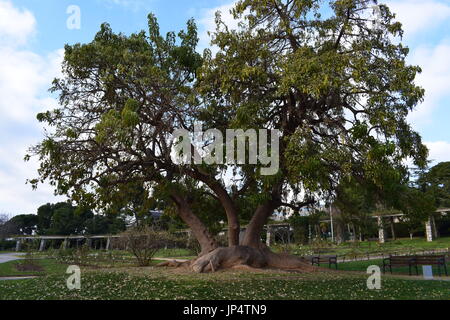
(169, 284)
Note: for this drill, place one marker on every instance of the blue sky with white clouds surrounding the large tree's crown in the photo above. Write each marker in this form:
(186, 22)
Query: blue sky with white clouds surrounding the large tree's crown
(33, 33)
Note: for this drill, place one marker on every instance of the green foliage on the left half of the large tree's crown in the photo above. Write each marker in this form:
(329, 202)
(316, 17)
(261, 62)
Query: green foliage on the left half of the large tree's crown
(136, 79)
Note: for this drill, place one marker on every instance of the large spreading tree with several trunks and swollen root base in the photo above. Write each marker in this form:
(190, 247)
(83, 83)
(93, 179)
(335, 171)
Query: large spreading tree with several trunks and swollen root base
(336, 86)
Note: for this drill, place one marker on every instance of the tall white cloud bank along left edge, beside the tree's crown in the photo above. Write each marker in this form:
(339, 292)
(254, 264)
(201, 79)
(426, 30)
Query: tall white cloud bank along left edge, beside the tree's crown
(24, 79)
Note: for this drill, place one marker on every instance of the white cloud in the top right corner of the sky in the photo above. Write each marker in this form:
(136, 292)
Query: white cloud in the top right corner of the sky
(419, 15)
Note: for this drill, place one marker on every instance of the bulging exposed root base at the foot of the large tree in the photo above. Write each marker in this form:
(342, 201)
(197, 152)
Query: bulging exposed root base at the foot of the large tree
(243, 257)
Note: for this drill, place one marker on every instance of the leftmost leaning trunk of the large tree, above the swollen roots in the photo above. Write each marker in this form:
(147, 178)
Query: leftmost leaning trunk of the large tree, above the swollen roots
(201, 233)
